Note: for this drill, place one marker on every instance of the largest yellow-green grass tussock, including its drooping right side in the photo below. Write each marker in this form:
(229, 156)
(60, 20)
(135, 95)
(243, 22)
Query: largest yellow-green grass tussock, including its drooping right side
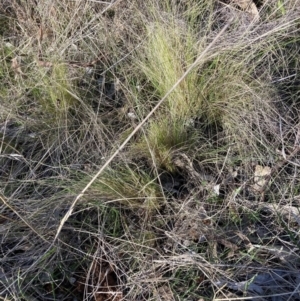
(221, 94)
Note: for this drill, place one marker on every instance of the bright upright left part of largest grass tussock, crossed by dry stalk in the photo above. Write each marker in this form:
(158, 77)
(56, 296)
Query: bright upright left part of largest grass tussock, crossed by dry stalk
(169, 49)
